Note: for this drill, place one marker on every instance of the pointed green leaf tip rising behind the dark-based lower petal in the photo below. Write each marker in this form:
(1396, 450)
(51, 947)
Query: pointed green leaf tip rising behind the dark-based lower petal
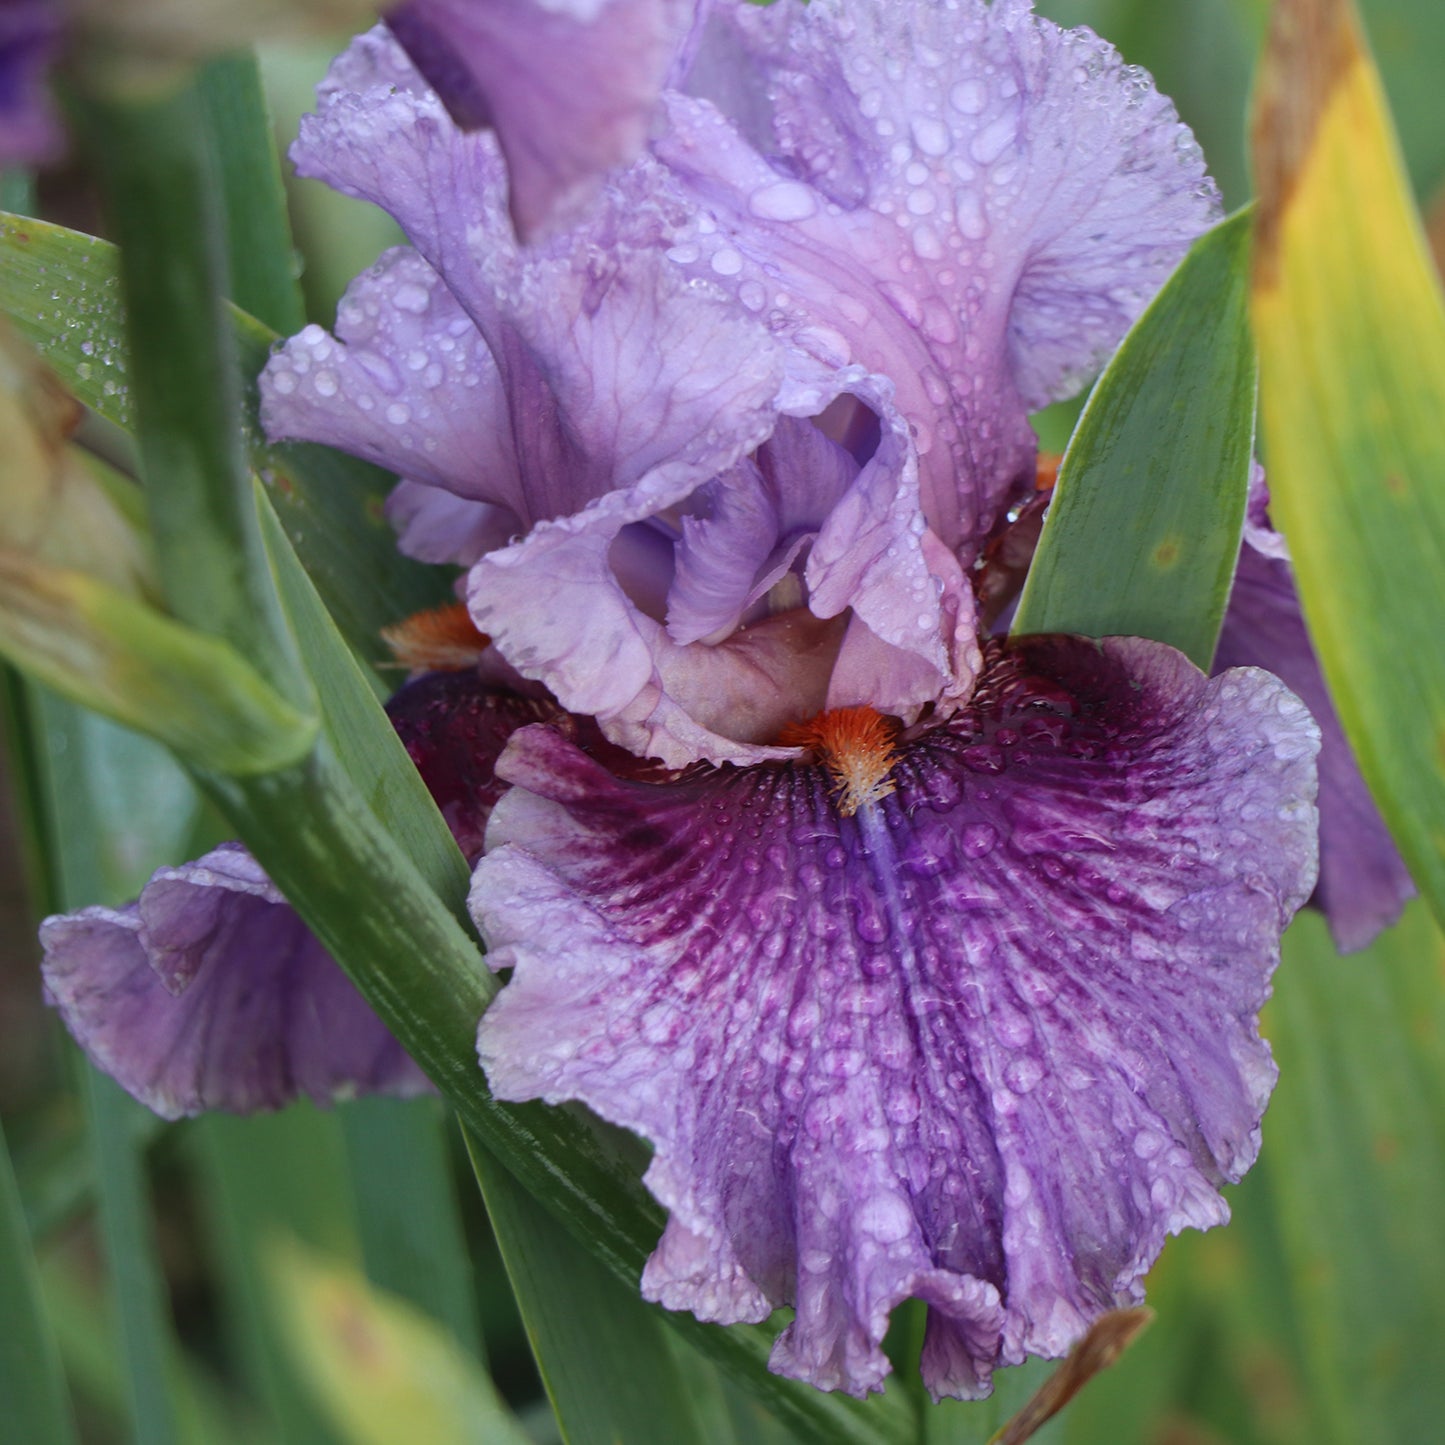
(1145, 524)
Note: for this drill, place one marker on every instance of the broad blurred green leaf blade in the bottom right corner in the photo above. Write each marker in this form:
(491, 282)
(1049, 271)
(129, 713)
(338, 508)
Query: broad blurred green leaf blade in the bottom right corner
(1355, 1152)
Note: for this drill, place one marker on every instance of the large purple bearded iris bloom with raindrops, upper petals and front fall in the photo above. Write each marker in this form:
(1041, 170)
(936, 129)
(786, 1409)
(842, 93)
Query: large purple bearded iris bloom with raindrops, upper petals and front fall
(928, 965)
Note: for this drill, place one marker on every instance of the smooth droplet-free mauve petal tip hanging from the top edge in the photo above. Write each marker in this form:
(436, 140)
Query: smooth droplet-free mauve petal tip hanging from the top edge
(570, 87)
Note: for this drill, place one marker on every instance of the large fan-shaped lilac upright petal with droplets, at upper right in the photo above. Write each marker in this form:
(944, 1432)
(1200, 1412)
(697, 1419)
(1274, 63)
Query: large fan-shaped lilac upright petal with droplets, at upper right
(975, 202)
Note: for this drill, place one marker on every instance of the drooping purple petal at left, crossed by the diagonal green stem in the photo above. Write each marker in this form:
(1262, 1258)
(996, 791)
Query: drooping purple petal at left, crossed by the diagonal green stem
(212, 993)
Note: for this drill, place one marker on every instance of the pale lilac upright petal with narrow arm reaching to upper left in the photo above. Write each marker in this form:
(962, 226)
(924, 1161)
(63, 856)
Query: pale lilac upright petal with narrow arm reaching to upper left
(611, 365)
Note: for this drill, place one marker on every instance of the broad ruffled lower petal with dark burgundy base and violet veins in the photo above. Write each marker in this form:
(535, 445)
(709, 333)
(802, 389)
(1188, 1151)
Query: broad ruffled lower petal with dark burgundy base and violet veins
(986, 1043)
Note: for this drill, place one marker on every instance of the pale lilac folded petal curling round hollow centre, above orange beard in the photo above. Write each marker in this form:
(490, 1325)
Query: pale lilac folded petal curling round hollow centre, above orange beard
(557, 609)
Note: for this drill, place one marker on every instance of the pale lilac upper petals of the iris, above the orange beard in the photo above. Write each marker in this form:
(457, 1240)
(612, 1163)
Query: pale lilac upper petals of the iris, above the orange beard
(748, 424)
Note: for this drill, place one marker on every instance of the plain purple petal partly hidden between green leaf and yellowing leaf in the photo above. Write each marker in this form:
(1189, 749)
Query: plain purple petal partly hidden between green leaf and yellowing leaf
(1363, 881)
